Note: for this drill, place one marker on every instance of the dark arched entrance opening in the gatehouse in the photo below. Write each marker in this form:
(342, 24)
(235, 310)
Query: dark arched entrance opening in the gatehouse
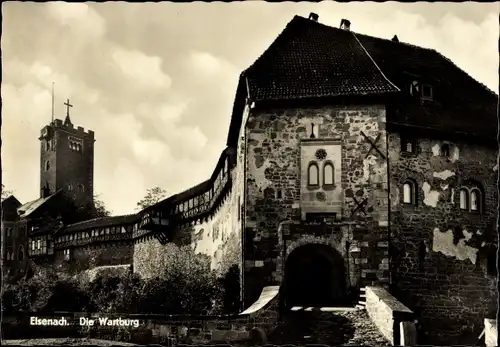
(314, 277)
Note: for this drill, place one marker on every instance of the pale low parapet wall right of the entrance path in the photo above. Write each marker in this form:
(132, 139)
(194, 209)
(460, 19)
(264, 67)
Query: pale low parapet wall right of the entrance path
(387, 313)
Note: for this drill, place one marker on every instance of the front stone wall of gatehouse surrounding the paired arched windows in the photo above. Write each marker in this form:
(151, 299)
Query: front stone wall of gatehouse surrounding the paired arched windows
(275, 139)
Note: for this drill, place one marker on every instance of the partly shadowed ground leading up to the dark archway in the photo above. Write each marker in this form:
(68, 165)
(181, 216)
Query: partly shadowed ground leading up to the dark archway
(335, 328)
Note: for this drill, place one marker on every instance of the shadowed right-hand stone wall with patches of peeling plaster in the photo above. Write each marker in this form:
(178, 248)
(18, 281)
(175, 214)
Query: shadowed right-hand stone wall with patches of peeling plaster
(439, 265)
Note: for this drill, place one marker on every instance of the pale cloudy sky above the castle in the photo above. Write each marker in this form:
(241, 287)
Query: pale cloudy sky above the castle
(156, 81)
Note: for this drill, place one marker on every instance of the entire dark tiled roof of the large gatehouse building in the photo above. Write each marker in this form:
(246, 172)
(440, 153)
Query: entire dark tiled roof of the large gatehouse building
(309, 59)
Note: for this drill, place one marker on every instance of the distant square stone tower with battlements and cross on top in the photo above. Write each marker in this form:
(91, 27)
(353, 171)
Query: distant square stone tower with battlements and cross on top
(67, 160)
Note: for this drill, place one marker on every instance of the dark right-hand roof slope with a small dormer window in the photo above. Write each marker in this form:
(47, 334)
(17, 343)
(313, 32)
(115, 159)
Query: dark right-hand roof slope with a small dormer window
(460, 103)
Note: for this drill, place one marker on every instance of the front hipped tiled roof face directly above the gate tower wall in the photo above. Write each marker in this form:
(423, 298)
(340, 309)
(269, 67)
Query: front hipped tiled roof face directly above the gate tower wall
(309, 59)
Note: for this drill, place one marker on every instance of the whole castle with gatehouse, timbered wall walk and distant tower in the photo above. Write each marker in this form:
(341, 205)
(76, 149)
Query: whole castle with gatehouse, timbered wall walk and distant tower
(351, 160)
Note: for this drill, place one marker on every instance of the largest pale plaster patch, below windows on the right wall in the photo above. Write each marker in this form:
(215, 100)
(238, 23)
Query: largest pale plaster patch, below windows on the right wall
(443, 243)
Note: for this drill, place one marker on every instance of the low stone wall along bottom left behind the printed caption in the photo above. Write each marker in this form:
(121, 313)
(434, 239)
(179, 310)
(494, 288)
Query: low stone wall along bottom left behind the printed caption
(186, 329)
